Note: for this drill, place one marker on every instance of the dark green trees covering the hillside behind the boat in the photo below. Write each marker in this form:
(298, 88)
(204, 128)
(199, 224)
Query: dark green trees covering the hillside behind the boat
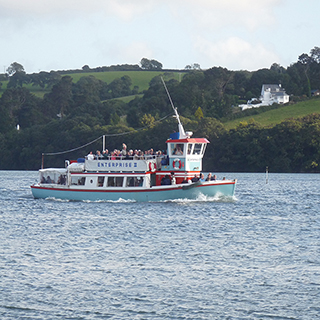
(71, 114)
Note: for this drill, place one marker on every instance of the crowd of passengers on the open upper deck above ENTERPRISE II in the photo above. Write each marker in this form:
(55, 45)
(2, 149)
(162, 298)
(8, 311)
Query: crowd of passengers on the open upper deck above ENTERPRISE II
(126, 154)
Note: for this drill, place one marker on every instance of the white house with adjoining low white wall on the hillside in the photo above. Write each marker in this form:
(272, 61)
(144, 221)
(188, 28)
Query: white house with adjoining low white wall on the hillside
(270, 94)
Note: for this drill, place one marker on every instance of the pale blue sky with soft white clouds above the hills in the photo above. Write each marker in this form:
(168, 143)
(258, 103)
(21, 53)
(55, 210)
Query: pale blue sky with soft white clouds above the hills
(45, 35)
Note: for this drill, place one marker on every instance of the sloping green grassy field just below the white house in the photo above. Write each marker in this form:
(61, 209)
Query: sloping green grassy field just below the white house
(273, 117)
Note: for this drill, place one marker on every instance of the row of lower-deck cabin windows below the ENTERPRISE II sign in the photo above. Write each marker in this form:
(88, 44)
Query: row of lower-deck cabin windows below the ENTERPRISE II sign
(109, 181)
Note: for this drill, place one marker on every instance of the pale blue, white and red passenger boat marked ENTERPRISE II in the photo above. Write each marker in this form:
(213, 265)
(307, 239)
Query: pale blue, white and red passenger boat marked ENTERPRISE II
(152, 178)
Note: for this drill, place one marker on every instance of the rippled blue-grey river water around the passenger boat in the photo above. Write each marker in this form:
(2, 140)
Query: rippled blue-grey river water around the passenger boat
(254, 256)
